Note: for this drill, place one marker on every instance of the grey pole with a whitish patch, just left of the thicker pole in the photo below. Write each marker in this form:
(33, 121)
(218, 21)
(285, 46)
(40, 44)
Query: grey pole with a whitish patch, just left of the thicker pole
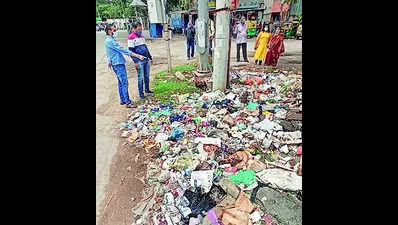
(203, 35)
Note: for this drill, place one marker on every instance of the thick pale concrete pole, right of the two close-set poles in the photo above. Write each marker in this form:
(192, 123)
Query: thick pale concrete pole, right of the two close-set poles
(221, 46)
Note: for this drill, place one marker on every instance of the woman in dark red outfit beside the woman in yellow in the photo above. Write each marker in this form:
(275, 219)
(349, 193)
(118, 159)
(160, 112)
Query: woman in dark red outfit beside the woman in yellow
(275, 48)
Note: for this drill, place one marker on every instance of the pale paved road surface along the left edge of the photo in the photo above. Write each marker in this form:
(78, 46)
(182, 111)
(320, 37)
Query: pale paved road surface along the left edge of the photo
(108, 114)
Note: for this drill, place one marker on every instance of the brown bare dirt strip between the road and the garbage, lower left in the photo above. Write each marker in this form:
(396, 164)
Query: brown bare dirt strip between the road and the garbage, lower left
(125, 187)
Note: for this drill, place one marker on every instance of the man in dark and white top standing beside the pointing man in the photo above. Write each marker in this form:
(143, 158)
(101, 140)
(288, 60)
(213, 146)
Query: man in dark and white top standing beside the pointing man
(136, 44)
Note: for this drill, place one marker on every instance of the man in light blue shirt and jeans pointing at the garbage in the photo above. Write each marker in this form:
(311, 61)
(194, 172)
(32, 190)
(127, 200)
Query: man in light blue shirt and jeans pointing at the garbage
(116, 60)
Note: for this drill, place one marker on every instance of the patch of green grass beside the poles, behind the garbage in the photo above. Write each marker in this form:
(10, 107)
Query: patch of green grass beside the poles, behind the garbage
(166, 85)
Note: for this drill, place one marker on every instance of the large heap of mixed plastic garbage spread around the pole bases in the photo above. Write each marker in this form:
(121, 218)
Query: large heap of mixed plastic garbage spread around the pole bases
(215, 151)
